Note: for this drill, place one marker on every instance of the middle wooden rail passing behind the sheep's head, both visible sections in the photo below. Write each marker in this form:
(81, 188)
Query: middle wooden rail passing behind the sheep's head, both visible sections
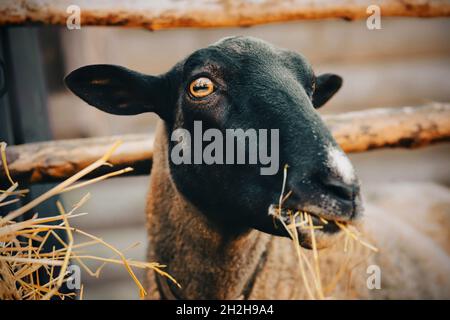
(406, 127)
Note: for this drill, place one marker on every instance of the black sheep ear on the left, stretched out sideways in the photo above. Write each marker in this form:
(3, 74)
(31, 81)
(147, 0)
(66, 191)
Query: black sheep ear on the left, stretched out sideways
(117, 90)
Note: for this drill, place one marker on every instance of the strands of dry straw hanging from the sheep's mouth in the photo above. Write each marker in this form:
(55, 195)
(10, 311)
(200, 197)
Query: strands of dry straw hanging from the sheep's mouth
(310, 266)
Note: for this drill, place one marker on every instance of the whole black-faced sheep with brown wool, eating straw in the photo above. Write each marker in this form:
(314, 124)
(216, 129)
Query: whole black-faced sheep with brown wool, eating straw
(209, 223)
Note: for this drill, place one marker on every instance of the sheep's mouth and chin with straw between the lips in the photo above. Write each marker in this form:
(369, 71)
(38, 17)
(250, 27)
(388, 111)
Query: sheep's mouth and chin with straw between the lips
(325, 226)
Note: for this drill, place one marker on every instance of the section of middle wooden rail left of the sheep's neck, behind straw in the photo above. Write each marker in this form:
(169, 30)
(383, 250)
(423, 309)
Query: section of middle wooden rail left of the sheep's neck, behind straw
(59, 159)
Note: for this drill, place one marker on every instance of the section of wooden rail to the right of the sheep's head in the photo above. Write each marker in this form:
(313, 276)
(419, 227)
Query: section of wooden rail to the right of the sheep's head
(406, 127)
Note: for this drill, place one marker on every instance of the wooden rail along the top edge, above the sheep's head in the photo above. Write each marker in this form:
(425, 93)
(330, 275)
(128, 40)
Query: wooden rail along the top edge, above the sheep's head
(165, 14)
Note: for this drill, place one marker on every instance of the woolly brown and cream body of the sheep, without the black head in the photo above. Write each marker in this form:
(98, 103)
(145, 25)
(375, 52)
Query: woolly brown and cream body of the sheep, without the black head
(209, 265)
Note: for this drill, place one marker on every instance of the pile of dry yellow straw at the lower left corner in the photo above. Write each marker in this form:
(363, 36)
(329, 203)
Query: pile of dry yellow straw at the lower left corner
(21, 242)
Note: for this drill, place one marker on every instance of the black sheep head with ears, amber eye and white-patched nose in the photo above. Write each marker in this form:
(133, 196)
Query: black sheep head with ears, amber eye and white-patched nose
(247, 84)
